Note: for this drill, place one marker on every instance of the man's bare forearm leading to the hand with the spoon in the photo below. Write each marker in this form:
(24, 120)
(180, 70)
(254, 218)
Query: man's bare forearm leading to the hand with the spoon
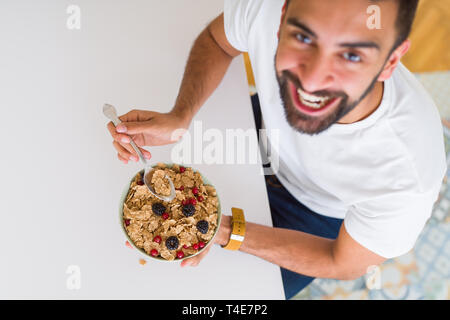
(205, 69)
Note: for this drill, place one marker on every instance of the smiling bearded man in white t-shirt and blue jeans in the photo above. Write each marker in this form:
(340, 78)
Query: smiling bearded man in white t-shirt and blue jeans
(361, 144)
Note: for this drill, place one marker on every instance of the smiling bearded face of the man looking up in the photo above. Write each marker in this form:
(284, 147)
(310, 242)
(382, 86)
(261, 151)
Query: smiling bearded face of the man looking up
(328, 60)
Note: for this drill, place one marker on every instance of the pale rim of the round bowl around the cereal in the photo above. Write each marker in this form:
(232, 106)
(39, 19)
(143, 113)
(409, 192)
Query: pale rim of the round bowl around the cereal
(206, 182)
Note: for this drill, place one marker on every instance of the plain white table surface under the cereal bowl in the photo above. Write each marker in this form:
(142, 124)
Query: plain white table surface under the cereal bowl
(60, 179)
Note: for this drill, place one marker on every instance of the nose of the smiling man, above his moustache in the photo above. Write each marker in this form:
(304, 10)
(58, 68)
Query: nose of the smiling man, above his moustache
(315, 73)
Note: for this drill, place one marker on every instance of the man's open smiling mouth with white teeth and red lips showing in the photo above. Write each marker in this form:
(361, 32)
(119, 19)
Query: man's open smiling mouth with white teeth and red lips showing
(311, 104)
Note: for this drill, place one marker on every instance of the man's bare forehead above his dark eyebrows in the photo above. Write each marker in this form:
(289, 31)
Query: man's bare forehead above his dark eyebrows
(347, 20)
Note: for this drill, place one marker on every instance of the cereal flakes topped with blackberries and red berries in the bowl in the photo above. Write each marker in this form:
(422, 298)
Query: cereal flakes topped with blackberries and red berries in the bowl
(175, 229)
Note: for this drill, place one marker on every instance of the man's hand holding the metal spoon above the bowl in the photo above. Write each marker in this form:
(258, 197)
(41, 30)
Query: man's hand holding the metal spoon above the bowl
(146, 128)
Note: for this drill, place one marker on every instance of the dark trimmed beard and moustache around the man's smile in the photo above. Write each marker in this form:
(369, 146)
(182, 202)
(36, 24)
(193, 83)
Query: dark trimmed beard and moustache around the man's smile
(313, 125)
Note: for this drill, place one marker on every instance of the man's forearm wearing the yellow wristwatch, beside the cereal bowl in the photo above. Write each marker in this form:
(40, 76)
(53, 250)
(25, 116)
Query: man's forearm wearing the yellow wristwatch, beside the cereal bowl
(293, 250)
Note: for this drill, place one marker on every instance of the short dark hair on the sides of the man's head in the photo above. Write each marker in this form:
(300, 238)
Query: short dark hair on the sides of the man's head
(406, 13)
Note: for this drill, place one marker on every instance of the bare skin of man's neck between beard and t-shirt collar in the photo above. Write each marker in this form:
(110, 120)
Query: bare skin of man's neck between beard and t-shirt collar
(366, 107)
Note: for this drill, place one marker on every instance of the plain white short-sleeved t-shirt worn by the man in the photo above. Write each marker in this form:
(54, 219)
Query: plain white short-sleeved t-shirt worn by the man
(382, 174)
